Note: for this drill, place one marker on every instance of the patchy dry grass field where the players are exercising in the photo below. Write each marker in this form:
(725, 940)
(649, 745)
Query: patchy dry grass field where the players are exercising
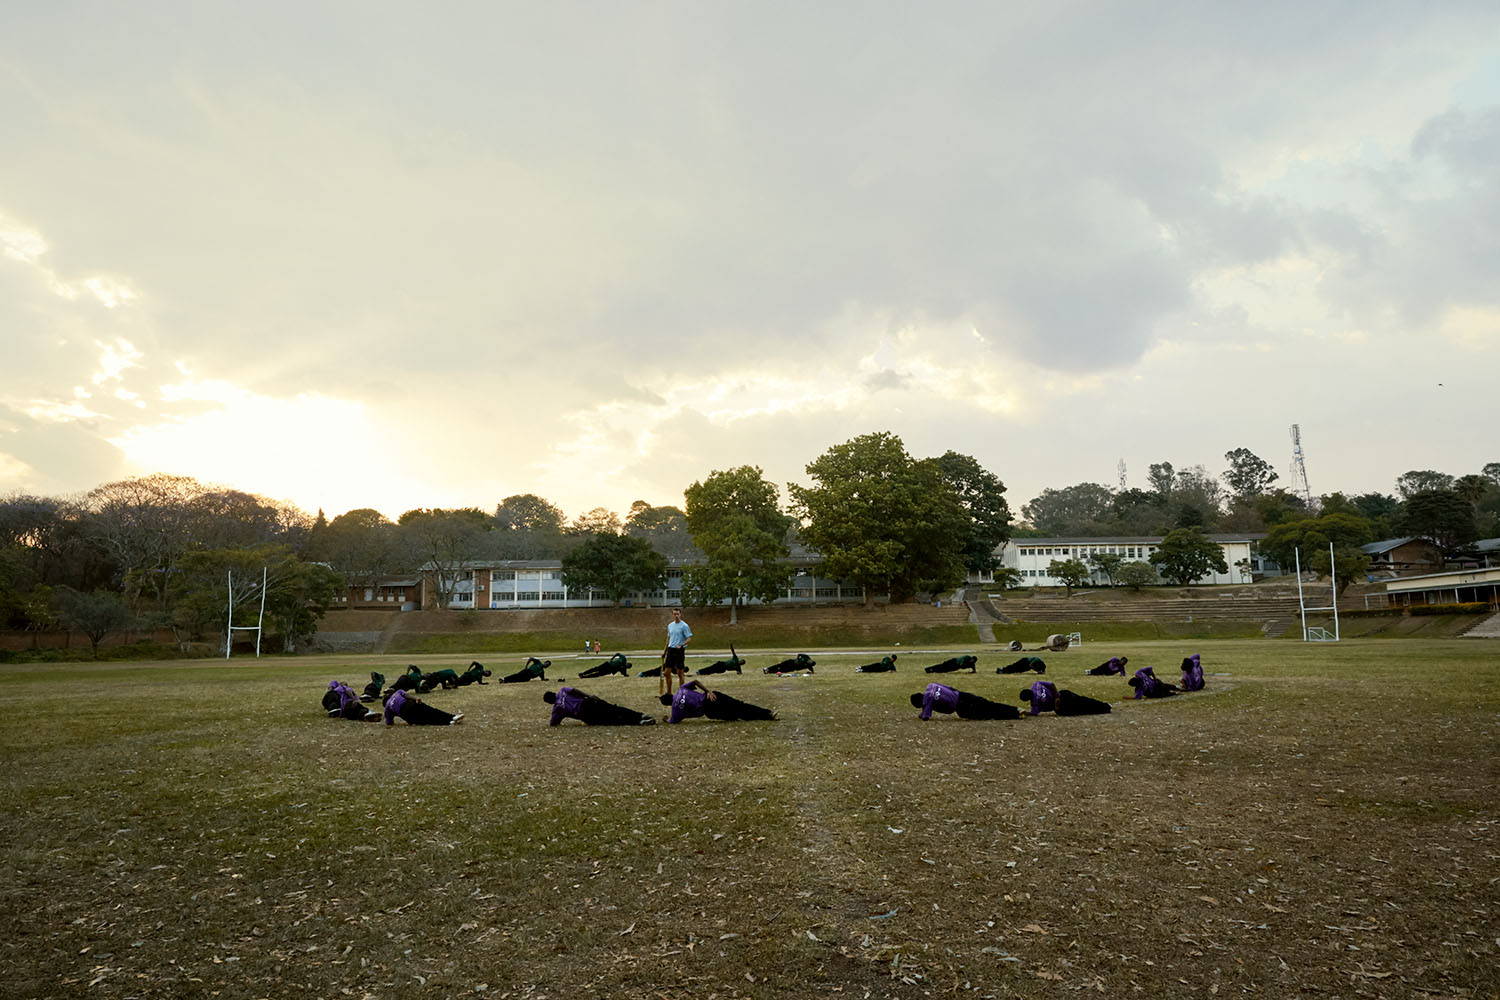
(1321, 822)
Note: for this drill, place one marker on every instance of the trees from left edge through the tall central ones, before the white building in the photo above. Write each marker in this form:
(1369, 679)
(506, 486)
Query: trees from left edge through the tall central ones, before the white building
(158, 552)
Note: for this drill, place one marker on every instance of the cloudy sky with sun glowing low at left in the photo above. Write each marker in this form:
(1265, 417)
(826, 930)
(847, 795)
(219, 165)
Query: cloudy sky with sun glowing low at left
(365, 254)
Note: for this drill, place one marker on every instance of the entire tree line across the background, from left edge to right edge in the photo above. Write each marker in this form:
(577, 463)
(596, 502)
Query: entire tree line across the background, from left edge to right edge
(157, 552)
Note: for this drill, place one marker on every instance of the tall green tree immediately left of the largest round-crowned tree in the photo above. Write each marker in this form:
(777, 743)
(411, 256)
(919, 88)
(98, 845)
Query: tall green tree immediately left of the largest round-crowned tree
(736, 521)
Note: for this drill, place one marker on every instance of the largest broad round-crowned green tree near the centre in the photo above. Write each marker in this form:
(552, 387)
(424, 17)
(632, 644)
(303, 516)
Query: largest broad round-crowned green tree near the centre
(881, 519)
